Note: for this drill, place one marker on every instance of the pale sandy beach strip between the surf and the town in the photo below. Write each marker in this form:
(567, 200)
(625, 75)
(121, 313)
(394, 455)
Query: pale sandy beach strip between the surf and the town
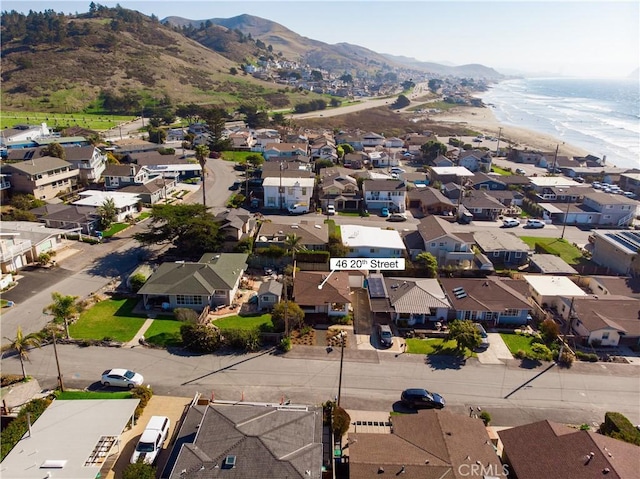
(483, 120)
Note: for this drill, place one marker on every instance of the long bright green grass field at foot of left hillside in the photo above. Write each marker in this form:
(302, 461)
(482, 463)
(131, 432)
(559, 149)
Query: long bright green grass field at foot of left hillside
(8, 119)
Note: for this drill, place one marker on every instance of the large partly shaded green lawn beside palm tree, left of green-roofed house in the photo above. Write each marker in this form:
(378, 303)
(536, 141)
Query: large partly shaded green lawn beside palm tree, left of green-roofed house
(111, 318)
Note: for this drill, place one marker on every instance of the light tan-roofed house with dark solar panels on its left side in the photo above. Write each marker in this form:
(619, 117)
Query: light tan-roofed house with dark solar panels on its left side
(413, 301)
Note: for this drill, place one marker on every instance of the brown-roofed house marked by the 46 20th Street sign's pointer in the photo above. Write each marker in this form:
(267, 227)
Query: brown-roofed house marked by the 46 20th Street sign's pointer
(322, 292)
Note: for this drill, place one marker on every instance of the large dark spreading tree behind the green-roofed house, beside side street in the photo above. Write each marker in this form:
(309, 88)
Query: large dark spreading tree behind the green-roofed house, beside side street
(189, 227)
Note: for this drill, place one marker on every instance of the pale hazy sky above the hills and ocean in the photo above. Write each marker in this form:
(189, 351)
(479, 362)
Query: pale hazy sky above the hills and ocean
(574, 38)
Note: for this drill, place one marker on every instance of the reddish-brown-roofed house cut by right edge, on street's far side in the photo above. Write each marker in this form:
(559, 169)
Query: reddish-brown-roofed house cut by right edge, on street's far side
(607, 320)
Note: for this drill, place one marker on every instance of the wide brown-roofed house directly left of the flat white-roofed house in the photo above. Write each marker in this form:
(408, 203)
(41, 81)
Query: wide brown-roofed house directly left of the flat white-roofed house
(313, 236)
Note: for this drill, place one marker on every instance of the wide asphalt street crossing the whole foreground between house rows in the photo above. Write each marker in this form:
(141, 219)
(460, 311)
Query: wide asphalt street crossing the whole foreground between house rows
(372, 381)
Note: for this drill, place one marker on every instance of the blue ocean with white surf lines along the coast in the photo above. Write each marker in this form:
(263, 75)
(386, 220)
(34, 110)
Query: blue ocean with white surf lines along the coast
(599, 116)
